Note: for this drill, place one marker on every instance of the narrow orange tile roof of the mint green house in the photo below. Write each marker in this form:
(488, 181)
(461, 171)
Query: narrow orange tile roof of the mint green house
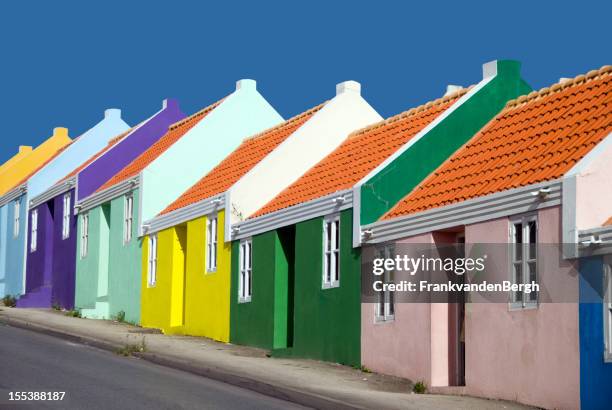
(175, 132)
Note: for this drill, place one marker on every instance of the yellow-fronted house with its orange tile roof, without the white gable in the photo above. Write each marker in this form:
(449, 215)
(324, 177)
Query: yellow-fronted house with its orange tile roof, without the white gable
(186, 255)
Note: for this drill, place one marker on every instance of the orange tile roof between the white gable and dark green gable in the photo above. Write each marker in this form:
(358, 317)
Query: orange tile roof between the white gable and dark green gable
(359, 154)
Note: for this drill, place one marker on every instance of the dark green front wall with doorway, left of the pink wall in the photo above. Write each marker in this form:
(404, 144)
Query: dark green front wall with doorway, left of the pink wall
(289, 311)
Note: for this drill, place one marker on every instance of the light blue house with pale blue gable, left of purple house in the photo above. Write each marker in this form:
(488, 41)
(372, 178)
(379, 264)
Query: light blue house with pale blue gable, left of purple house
(14, 204)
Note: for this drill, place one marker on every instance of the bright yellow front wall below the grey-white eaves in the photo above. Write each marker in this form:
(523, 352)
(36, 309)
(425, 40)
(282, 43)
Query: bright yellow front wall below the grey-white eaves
(197, 299)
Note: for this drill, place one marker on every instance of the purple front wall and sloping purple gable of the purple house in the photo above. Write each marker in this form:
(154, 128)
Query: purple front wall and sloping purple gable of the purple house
(50, 270)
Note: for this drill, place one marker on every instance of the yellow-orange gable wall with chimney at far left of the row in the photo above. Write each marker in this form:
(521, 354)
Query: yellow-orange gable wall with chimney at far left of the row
(32, 160)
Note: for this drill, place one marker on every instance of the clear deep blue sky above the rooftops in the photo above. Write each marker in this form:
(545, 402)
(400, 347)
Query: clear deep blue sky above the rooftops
(63, 62)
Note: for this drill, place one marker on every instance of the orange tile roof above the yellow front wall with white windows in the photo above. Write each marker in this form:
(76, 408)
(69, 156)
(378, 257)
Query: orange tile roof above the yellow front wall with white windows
(240, 161)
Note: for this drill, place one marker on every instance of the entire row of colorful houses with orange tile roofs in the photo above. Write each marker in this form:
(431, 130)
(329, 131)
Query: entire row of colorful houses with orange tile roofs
(237, 225)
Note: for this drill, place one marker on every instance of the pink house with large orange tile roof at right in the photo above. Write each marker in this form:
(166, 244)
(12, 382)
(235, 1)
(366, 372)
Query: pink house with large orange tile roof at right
(536, 174)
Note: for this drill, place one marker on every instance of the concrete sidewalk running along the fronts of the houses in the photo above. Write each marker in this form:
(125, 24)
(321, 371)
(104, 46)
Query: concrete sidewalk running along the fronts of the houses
(307, 382)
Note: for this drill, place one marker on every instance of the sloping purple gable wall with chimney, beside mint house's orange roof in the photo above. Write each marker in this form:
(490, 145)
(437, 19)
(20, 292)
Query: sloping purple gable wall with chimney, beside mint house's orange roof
(103, 168)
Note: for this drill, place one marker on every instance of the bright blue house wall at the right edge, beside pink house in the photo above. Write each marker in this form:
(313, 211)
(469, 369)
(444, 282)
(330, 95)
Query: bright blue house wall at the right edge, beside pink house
(595, 372)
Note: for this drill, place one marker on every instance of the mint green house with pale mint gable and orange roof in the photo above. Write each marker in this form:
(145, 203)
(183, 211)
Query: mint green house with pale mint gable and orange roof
(108, 275)
